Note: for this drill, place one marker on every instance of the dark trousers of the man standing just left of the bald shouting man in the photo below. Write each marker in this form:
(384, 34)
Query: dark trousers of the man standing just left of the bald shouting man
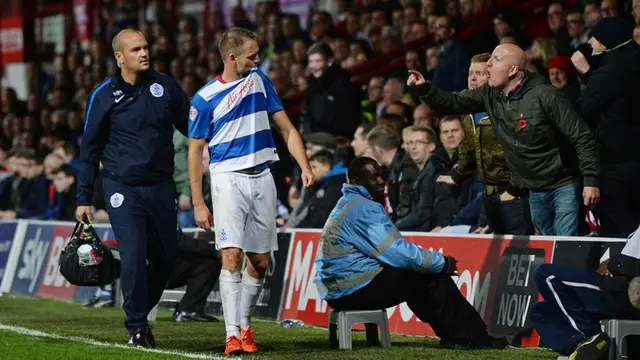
(511, 217)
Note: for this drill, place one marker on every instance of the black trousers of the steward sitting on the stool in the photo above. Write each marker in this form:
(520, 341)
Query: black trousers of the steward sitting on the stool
(435, 299)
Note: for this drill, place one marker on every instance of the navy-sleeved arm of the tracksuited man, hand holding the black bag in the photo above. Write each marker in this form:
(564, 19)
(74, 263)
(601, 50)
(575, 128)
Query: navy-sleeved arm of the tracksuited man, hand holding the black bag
(93, 139)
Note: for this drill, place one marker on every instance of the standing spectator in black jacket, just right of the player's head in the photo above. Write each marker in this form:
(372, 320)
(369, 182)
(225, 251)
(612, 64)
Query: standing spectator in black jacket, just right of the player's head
(332, 103)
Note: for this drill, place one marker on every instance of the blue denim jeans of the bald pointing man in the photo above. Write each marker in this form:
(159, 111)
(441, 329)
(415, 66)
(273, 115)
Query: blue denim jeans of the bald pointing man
(556, 211)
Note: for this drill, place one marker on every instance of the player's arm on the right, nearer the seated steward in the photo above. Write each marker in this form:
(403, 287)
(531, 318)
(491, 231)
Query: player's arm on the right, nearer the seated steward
(289, 133)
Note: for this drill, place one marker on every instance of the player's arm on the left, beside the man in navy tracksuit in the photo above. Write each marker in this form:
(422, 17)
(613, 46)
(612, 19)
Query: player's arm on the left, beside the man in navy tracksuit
(200, 116)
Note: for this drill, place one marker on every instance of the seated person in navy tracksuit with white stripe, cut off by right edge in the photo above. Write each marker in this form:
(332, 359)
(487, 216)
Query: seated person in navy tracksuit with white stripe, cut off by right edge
(575, 300)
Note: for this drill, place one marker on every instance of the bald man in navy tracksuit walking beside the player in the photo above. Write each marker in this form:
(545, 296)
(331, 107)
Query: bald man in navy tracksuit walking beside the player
(129, 127)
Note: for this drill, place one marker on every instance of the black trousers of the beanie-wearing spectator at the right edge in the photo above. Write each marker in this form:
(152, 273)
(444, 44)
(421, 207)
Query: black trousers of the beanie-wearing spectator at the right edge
(619, 208)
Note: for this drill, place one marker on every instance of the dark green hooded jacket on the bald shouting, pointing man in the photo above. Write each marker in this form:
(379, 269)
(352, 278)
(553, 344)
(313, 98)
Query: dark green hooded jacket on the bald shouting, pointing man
(546, 143)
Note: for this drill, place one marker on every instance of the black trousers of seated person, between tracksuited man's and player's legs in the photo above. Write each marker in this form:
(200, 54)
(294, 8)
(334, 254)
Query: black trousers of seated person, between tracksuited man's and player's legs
(199, 274)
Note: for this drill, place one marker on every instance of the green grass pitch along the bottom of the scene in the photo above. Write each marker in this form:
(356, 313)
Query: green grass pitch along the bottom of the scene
(33, 328)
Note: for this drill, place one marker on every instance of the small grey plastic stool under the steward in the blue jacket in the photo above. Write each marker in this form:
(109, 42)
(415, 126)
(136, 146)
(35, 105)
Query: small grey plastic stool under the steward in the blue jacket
(341, 323)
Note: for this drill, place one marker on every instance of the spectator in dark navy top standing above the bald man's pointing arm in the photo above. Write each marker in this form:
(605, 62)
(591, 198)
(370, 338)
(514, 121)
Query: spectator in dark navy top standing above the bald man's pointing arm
(453, 62)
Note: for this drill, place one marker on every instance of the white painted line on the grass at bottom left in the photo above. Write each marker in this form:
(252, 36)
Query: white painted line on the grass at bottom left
(41, 334)
